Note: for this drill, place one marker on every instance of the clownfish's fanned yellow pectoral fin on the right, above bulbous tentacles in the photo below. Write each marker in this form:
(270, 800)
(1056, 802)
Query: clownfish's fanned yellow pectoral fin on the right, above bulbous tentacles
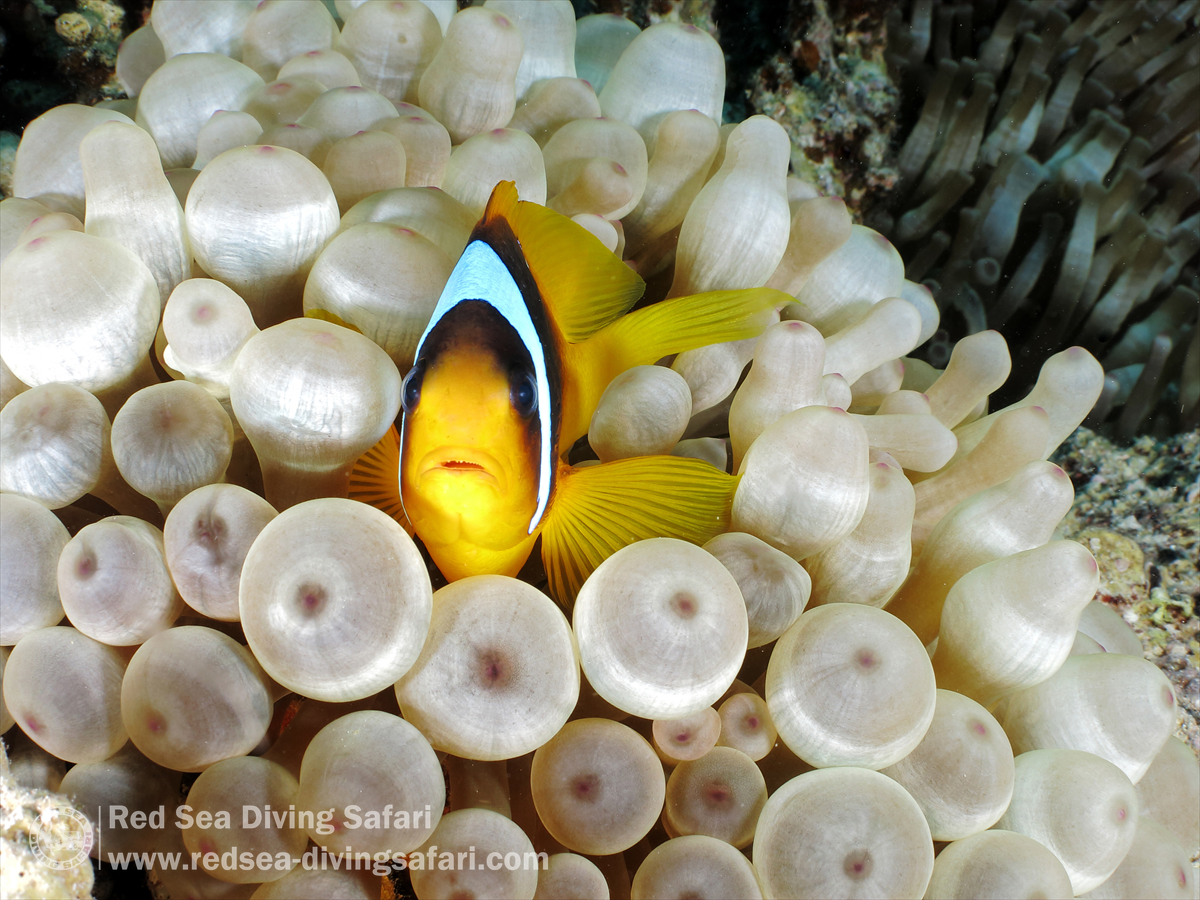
(599, 509)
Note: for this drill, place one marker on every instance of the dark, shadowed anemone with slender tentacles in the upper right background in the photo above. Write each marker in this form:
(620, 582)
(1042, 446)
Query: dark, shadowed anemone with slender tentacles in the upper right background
(1051, 188)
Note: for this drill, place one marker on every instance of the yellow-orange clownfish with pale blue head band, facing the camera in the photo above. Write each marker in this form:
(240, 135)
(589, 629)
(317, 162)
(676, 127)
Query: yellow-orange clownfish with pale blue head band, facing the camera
(531, 328)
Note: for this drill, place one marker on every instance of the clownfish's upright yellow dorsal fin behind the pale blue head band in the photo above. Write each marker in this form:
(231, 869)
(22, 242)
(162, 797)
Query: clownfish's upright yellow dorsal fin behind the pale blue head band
(585, 286)
